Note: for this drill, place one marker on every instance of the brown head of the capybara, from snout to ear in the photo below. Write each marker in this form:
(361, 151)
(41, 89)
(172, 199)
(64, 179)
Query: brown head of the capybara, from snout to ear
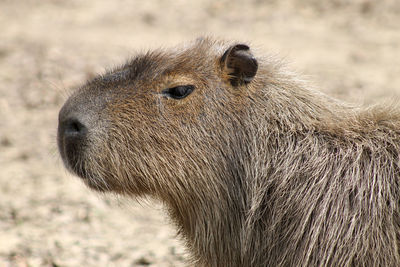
(166, 123)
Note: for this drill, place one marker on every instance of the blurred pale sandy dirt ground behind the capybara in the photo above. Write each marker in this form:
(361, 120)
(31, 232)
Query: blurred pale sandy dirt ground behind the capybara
(47, 47)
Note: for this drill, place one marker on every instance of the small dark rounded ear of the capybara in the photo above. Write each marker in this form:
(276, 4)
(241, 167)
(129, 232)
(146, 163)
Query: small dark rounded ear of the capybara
(239, 64)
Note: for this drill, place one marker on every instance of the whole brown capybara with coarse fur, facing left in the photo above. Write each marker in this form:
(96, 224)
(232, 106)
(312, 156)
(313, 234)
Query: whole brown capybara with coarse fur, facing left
(253, 166)
